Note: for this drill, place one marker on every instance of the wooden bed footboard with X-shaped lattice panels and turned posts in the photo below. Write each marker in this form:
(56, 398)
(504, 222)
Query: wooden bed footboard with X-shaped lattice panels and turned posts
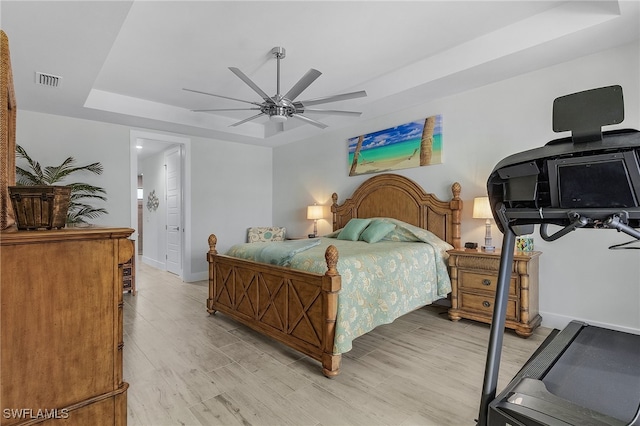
(296, 308)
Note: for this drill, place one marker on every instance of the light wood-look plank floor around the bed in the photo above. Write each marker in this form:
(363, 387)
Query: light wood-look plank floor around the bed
(186, 367)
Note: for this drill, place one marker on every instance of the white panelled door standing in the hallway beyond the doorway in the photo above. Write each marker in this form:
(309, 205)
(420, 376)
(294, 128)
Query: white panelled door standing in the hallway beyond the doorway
(174, 211)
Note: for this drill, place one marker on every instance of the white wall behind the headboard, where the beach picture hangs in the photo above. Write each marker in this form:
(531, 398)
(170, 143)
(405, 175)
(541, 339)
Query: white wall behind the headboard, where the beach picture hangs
(579, 277)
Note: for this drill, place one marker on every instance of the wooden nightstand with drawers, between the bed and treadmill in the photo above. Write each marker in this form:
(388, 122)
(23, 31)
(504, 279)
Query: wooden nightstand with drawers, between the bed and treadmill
(474, 276)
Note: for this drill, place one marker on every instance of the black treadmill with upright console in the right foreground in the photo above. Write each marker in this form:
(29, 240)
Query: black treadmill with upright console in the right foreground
(584, 374)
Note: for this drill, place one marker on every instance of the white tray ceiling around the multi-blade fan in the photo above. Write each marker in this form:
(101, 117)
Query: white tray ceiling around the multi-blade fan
(126, 62)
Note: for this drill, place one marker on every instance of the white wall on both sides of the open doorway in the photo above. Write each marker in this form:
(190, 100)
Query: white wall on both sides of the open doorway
(231, 184)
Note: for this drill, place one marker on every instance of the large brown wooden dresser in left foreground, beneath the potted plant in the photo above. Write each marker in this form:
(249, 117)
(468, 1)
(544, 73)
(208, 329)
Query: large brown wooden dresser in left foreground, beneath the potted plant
(61, 321)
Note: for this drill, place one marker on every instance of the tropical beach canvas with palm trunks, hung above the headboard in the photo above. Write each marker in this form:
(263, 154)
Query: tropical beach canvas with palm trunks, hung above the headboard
(414, 144)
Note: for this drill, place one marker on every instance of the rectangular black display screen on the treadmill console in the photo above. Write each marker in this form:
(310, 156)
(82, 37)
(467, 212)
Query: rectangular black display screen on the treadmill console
(601, 184)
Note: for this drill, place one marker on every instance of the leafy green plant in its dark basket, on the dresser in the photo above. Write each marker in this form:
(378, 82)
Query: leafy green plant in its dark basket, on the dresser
(79, 211)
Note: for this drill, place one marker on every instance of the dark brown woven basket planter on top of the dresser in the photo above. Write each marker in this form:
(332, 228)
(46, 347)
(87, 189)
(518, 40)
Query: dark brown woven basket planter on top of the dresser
(40, 207)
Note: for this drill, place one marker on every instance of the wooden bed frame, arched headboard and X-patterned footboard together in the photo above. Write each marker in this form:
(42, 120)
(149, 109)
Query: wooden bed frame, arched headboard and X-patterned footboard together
(299, 308)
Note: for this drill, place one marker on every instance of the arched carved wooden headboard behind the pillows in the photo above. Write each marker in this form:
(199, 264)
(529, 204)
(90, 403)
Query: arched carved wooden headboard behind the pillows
(391, 195)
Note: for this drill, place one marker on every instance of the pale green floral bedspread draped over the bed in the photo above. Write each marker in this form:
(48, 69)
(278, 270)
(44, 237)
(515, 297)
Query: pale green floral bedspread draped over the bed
(381, 281)
